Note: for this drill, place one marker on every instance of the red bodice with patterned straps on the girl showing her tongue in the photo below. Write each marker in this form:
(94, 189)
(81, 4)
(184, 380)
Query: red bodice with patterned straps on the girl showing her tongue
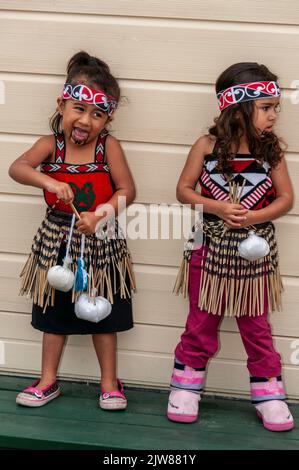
(91, 182)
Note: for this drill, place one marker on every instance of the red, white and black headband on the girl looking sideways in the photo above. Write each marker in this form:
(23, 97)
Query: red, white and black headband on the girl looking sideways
(247, 92)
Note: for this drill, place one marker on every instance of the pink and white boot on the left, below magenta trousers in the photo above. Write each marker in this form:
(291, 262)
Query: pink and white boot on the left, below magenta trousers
(183, 406)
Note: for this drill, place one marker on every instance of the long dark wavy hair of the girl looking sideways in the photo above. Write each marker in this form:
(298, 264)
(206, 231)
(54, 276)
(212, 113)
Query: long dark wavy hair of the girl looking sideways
(228, 126)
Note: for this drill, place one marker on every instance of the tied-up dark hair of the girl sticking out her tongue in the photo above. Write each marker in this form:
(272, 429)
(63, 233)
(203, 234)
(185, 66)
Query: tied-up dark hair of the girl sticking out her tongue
(91, 71)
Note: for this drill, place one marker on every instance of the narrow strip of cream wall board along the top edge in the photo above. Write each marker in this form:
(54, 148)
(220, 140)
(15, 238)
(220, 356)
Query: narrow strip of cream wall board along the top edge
(286, 12)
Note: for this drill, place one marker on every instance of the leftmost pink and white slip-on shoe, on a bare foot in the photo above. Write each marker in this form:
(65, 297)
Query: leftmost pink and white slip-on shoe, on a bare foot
(34, 396)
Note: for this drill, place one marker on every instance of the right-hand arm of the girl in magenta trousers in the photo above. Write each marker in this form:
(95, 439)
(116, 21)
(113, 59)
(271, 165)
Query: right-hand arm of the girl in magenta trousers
(284, 197)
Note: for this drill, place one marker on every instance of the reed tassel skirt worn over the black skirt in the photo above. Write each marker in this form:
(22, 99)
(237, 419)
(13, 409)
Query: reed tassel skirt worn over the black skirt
(108, 261)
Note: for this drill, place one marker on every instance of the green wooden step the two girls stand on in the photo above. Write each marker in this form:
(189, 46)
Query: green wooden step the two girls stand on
(74, 421)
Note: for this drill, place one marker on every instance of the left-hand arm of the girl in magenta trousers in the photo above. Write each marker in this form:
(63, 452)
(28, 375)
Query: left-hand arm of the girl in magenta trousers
(232, 214)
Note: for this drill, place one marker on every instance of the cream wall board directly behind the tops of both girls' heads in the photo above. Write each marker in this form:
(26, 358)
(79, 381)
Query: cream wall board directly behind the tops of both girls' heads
(147, 49)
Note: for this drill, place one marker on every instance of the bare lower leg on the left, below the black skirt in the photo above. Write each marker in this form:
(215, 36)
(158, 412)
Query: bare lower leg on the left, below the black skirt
(52, 350)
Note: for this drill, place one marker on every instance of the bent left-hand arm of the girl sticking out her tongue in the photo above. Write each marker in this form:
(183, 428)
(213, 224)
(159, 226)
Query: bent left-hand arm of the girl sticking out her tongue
(23, 170)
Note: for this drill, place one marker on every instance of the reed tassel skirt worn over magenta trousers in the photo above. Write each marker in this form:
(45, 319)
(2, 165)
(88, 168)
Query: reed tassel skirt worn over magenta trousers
(229, 284)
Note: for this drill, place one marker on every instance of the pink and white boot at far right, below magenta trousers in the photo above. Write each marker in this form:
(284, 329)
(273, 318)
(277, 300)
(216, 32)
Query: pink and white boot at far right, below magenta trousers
(275, 415)
